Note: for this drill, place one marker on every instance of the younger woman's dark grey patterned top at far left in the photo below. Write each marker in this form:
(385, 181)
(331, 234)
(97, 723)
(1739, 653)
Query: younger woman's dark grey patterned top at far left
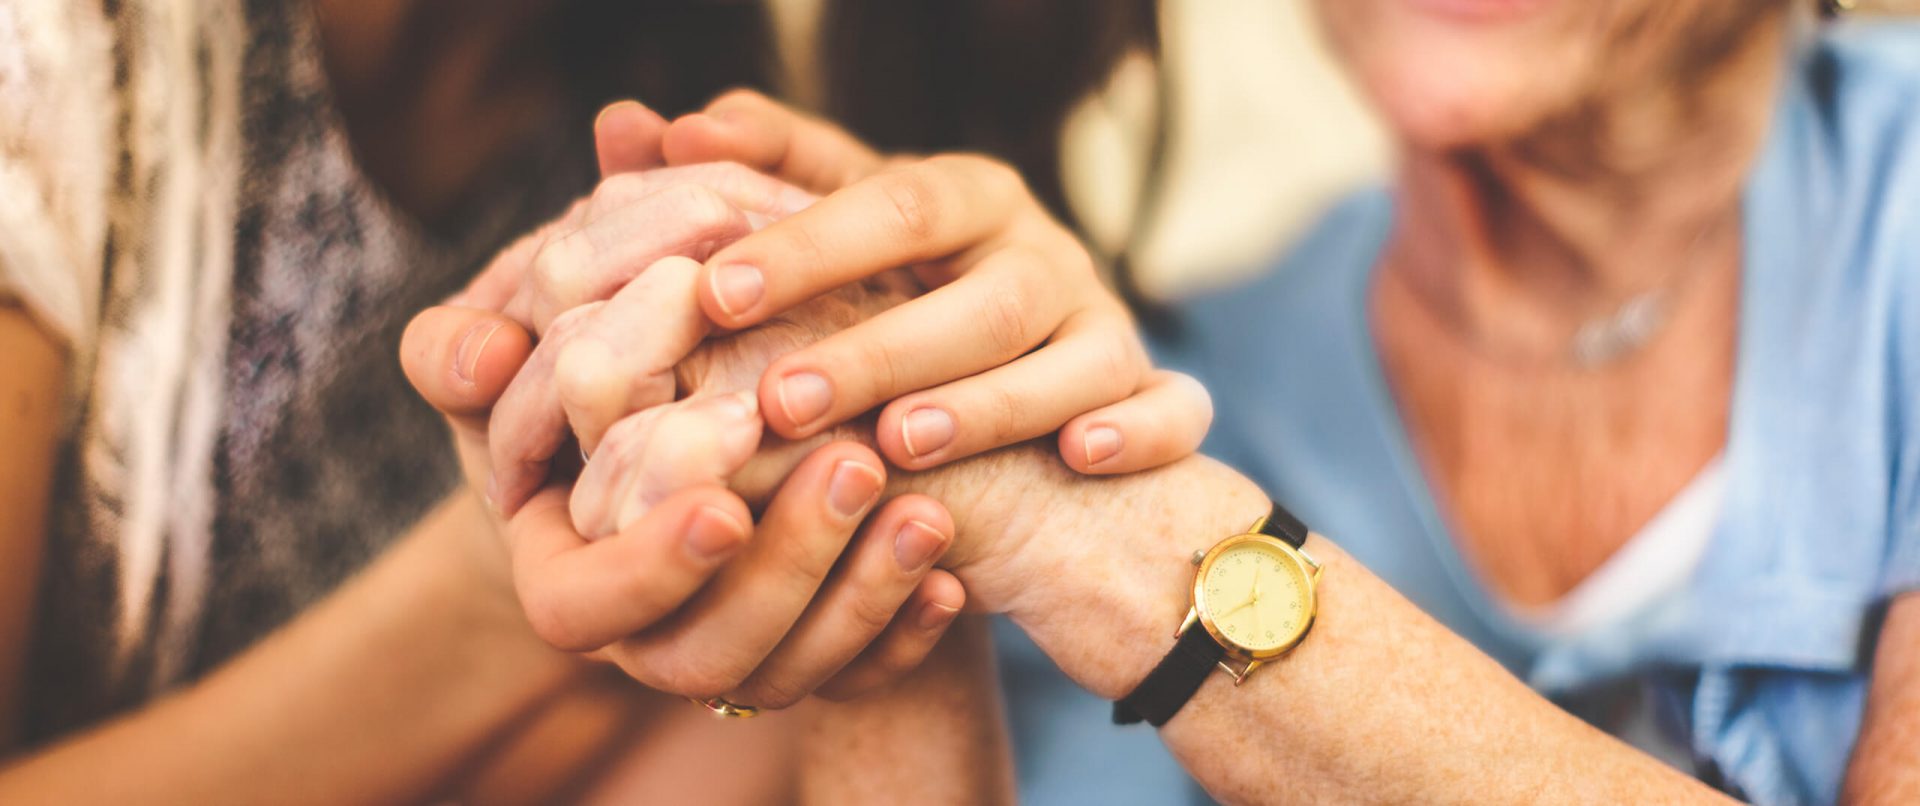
(322, 456)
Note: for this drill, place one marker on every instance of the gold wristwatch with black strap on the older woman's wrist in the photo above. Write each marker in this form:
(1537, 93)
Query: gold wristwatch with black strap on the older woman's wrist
(1253, 600)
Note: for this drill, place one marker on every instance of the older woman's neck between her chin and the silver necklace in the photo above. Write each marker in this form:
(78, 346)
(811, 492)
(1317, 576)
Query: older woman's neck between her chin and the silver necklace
(1602, 202)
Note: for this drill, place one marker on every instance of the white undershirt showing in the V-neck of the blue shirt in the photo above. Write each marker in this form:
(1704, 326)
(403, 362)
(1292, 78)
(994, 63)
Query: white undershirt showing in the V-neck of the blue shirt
(1656, 561)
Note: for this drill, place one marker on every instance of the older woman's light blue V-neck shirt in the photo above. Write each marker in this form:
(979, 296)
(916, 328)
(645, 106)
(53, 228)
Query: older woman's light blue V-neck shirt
(1762, 661)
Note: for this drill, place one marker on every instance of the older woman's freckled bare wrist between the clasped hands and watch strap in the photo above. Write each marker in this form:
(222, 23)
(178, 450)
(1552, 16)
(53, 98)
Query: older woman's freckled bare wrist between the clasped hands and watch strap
(1095, 569)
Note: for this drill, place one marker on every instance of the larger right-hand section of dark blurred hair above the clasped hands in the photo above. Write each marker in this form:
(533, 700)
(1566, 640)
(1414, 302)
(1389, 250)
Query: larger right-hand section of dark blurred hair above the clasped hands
(988, 76)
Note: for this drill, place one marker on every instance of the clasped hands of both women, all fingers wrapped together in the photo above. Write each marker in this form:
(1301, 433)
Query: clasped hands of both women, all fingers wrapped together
(715, 329)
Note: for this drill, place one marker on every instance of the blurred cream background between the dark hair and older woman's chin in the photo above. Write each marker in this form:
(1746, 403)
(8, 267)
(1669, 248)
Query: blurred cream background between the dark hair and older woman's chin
(1264, 133)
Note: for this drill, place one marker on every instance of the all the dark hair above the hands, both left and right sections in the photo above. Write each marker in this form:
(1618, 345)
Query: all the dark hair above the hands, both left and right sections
(905, 76)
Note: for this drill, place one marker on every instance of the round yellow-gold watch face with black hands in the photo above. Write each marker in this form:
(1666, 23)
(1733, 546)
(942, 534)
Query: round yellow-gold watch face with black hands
(1257, 596)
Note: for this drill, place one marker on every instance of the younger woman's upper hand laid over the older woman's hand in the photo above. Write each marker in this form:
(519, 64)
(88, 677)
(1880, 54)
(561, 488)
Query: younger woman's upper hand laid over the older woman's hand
(1017, 339)
